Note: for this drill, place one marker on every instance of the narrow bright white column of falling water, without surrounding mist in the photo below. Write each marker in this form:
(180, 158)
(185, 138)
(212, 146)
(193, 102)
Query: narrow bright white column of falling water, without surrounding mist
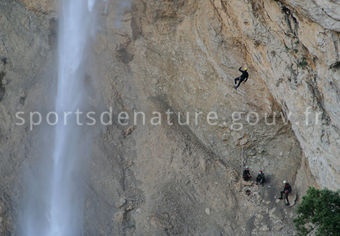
(73, 35)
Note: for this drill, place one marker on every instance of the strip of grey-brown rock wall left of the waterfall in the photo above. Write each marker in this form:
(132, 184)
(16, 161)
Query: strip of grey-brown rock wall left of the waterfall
(26, 42)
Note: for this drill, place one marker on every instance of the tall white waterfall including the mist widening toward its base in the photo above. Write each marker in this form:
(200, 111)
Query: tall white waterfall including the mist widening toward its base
(59, 210)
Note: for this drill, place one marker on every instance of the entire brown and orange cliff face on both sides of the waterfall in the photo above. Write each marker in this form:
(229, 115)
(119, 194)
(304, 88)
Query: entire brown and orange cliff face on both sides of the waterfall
(182, 56)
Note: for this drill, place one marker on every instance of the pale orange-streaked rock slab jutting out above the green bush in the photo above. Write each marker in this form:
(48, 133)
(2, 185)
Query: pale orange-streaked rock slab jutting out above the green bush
(296, 53)
